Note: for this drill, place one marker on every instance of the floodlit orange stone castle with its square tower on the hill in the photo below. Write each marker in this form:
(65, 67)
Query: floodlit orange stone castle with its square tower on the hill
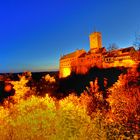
(81, 61)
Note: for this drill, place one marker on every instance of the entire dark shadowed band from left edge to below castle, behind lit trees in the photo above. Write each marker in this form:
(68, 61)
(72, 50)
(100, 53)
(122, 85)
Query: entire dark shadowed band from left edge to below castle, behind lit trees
(76, 83)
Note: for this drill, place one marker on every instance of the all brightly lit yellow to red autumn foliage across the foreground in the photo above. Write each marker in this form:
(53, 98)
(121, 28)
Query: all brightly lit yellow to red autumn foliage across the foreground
(90, 116)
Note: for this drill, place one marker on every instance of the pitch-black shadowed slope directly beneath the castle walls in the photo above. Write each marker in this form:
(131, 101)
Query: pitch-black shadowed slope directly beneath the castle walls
(78, 82)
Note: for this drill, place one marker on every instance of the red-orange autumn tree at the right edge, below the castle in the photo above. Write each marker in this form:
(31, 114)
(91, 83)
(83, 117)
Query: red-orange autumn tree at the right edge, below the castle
(124, 98)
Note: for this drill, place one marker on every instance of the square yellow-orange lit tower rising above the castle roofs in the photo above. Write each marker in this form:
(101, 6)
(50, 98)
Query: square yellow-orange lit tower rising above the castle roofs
(95, 40)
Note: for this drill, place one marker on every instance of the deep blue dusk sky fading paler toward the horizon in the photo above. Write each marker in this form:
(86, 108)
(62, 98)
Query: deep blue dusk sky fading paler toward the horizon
(34, 33)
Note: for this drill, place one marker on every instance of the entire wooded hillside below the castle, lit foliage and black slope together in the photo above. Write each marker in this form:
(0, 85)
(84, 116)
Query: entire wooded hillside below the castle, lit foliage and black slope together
(104, 104)
